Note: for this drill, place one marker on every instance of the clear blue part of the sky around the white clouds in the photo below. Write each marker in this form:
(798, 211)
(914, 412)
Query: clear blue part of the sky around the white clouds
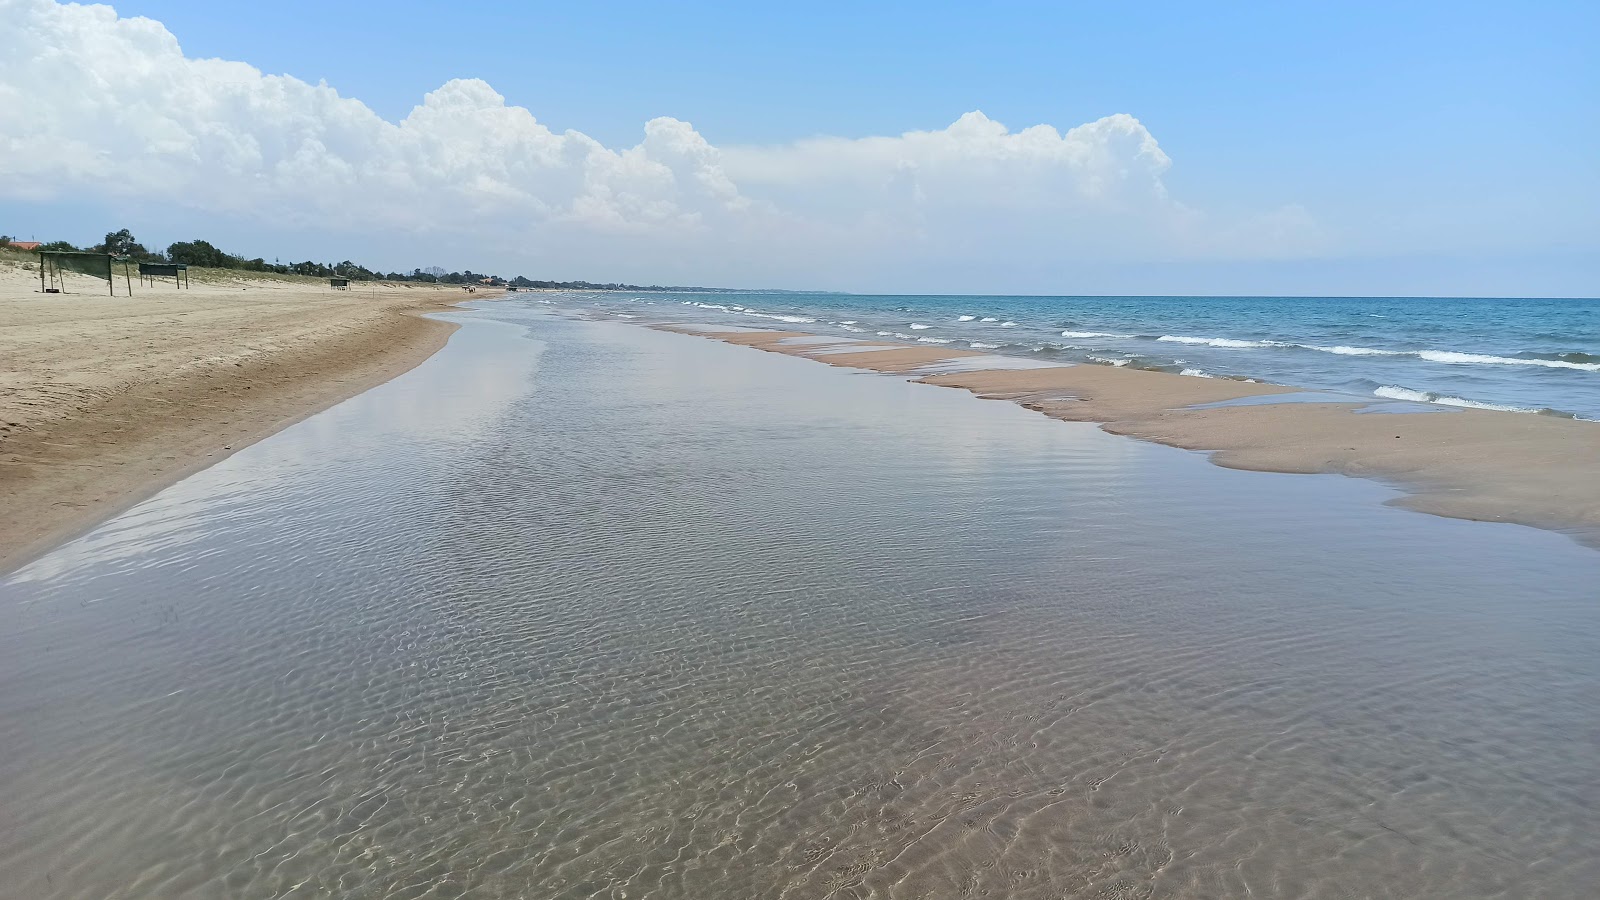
(1431, 147)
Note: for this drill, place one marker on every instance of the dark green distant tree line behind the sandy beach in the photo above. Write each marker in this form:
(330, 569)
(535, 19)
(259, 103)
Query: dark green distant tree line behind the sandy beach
(204, 254)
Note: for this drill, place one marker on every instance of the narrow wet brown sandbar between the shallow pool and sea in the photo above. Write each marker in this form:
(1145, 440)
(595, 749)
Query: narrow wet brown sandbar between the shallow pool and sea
(1481, 465)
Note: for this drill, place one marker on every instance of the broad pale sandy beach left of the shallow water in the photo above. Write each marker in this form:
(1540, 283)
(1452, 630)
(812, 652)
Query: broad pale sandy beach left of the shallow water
(105, 401)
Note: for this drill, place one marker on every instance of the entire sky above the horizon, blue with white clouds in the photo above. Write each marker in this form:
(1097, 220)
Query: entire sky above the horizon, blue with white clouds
(890, 148)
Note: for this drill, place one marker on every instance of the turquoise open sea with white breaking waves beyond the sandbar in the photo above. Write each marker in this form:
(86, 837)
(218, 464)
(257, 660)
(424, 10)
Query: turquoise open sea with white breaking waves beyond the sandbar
(1519, 355)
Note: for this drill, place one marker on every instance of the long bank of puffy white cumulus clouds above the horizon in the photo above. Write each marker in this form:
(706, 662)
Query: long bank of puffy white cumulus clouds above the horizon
(105, 105)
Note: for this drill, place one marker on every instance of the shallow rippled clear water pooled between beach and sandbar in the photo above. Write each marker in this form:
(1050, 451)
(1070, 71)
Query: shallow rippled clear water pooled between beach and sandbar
(609, 613)
